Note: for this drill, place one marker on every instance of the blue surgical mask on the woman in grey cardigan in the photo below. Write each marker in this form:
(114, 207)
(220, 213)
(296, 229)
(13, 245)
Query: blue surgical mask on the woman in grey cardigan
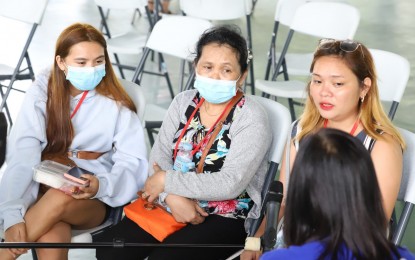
(214, 90)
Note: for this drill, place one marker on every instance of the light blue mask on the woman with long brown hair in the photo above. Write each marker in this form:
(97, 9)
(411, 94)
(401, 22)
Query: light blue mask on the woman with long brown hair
(85, 78)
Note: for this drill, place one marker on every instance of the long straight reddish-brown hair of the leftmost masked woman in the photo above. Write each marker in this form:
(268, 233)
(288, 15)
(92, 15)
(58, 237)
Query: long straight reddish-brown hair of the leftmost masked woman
(59, 129)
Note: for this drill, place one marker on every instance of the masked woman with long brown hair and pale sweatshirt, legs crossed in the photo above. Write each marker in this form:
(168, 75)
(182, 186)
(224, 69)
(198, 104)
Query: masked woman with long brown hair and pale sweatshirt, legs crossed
(78, 113)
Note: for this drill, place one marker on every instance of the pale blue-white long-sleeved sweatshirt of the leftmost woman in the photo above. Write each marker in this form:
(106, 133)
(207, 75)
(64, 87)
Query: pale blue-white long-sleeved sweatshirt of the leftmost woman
(100, 125)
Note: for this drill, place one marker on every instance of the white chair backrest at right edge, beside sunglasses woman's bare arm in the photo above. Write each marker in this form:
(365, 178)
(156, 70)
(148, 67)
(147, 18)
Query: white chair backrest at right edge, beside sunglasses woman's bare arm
(407, 188)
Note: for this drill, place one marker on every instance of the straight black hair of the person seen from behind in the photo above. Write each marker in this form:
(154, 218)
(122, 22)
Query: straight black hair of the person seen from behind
(334, 197)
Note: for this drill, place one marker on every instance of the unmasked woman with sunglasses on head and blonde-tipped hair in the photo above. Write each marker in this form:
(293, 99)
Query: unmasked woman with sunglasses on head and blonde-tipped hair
(343, 94)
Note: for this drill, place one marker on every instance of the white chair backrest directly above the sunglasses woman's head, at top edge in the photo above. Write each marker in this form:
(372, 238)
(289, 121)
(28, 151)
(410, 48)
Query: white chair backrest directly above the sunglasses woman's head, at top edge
(326, 20)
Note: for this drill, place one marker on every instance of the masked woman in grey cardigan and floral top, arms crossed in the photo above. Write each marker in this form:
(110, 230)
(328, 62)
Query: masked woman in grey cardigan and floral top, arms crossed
(218, 198)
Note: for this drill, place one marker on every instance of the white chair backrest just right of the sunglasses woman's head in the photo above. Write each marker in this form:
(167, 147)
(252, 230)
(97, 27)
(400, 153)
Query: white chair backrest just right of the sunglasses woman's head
(393, 74)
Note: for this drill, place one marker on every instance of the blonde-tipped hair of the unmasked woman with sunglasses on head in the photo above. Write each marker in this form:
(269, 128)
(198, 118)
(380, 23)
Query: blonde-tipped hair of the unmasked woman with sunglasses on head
(372, 116)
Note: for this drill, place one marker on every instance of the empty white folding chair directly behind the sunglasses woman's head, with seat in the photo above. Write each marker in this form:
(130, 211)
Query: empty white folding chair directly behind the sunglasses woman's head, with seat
(318, 19)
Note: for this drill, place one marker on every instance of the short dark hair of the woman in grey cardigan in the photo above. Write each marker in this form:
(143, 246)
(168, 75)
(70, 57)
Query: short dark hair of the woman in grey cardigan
(225, 34)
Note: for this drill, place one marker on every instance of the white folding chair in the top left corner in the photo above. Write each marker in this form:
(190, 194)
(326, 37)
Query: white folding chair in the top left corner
(30, 13)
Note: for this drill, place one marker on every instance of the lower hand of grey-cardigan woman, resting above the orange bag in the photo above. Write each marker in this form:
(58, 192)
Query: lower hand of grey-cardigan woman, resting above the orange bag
(185, 210)
